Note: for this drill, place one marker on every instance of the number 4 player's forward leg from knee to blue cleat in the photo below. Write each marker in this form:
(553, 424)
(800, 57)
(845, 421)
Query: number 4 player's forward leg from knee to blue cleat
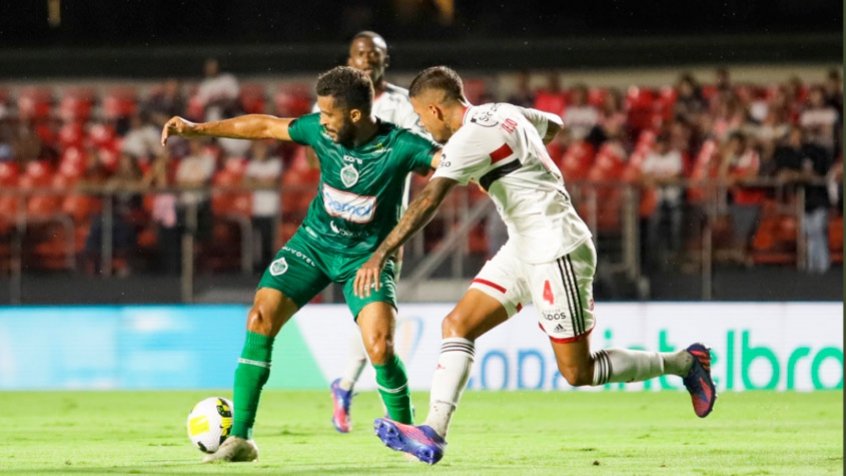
(473, 316)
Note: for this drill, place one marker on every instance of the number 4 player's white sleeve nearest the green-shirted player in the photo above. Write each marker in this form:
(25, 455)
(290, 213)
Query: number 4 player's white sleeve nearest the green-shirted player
(465, 158)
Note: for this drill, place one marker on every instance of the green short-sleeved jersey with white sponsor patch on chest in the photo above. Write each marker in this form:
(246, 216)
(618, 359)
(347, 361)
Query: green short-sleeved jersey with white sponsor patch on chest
(361, 189)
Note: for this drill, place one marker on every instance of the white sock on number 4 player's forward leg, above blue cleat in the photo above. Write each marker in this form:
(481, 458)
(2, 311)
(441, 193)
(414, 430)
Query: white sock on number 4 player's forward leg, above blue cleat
(449, 381)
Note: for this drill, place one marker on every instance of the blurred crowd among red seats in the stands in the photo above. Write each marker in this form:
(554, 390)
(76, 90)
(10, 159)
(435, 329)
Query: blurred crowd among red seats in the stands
(668, 141)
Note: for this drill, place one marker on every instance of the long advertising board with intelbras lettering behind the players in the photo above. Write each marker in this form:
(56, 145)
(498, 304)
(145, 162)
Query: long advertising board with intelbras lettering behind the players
(756, 346)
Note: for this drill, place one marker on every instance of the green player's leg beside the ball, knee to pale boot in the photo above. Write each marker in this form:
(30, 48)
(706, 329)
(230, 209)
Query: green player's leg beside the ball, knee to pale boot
(270, 310)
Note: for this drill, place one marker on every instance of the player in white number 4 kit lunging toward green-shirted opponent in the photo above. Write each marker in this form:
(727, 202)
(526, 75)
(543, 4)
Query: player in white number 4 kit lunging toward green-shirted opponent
(549, 259)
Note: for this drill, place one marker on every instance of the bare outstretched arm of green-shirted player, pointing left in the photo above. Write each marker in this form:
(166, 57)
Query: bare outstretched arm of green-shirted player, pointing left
(250, 126)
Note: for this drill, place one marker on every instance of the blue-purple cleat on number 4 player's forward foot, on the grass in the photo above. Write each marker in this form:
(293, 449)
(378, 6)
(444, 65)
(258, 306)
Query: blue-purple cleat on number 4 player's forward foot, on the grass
(422, 442)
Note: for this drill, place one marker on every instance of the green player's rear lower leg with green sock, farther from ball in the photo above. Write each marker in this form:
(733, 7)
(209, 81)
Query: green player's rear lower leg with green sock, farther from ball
(377, 321)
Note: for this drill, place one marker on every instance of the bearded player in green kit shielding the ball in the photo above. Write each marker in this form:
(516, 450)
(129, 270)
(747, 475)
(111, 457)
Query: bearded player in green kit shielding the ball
(363, 163)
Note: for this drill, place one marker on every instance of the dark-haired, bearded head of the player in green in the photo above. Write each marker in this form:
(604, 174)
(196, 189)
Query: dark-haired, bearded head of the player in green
(344, 97)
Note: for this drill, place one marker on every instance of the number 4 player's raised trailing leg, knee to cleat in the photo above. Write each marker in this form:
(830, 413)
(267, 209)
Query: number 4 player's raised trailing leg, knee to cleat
(580, 367)
